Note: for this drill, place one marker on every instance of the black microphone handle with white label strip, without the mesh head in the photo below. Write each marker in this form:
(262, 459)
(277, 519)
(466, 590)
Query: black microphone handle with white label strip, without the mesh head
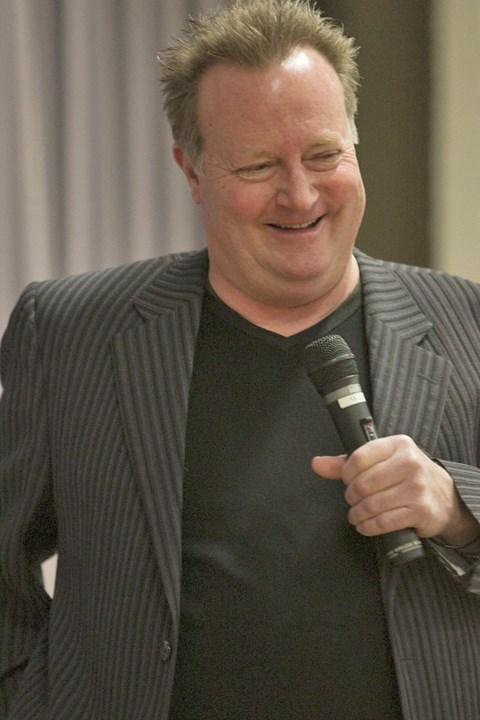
(350, 413)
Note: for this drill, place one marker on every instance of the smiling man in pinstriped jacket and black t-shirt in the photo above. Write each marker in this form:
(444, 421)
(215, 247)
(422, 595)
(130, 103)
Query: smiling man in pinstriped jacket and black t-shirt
(158, 428)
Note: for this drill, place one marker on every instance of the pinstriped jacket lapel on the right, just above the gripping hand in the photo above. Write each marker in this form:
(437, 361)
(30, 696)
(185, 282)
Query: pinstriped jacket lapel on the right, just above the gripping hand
(409, 381)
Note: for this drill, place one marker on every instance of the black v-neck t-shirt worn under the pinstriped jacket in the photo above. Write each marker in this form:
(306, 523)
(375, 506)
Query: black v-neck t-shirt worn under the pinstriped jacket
(281, 612)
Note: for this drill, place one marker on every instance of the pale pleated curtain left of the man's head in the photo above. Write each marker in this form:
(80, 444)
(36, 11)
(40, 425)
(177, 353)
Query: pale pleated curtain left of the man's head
(86, 175)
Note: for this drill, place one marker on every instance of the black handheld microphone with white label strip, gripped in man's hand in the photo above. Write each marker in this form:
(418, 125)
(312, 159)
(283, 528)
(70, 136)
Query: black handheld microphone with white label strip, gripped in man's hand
(333, 370)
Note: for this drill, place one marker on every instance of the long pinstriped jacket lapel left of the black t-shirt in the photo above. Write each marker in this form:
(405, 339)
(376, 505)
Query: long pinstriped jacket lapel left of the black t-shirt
(153, 363)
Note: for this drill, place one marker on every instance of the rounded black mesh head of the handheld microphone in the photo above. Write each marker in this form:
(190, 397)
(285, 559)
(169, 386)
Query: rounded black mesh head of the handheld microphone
(329, 359)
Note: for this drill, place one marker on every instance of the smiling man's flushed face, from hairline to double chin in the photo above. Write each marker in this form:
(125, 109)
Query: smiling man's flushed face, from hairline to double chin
(279, 183)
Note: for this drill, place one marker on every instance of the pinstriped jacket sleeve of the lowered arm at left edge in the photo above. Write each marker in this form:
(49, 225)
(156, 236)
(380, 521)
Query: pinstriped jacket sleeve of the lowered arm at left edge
(27, 525)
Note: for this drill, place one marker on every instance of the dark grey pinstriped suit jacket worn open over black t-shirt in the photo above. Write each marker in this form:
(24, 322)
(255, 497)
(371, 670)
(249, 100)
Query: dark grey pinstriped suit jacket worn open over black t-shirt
(96, 373)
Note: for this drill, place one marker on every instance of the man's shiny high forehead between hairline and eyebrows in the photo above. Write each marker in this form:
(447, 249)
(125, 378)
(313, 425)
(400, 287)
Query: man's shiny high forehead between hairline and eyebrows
(302, 92)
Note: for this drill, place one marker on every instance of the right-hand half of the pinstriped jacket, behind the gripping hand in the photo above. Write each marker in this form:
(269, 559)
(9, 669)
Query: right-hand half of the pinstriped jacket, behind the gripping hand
(424, 344)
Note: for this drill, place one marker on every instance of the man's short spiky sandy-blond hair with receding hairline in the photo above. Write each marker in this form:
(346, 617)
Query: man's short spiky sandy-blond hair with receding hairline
(252, 34)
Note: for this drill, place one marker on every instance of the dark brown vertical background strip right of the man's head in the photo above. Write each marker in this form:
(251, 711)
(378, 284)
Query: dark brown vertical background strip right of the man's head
(393, 122)
